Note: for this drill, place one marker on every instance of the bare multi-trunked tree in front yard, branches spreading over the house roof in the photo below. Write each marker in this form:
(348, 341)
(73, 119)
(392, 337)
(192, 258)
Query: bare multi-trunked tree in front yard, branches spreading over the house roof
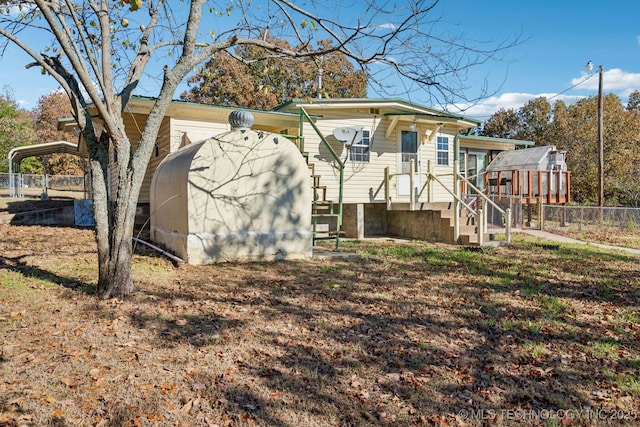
(99, 51)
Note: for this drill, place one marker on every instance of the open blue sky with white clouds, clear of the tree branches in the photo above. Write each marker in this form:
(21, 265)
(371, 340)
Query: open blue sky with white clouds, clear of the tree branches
(558, 38)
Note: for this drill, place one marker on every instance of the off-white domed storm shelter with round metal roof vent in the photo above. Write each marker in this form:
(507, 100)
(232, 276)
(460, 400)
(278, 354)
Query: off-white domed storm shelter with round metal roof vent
(242, 195)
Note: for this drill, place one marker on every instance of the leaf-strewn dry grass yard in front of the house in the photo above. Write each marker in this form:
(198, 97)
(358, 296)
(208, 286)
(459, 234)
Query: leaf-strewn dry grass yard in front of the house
(405, 334)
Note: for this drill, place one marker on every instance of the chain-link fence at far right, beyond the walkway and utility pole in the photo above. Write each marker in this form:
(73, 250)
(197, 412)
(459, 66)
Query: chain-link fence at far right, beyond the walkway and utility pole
(590, 218)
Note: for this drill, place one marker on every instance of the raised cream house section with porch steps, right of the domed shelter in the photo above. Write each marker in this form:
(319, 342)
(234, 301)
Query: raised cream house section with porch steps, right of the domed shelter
(394, 161)
